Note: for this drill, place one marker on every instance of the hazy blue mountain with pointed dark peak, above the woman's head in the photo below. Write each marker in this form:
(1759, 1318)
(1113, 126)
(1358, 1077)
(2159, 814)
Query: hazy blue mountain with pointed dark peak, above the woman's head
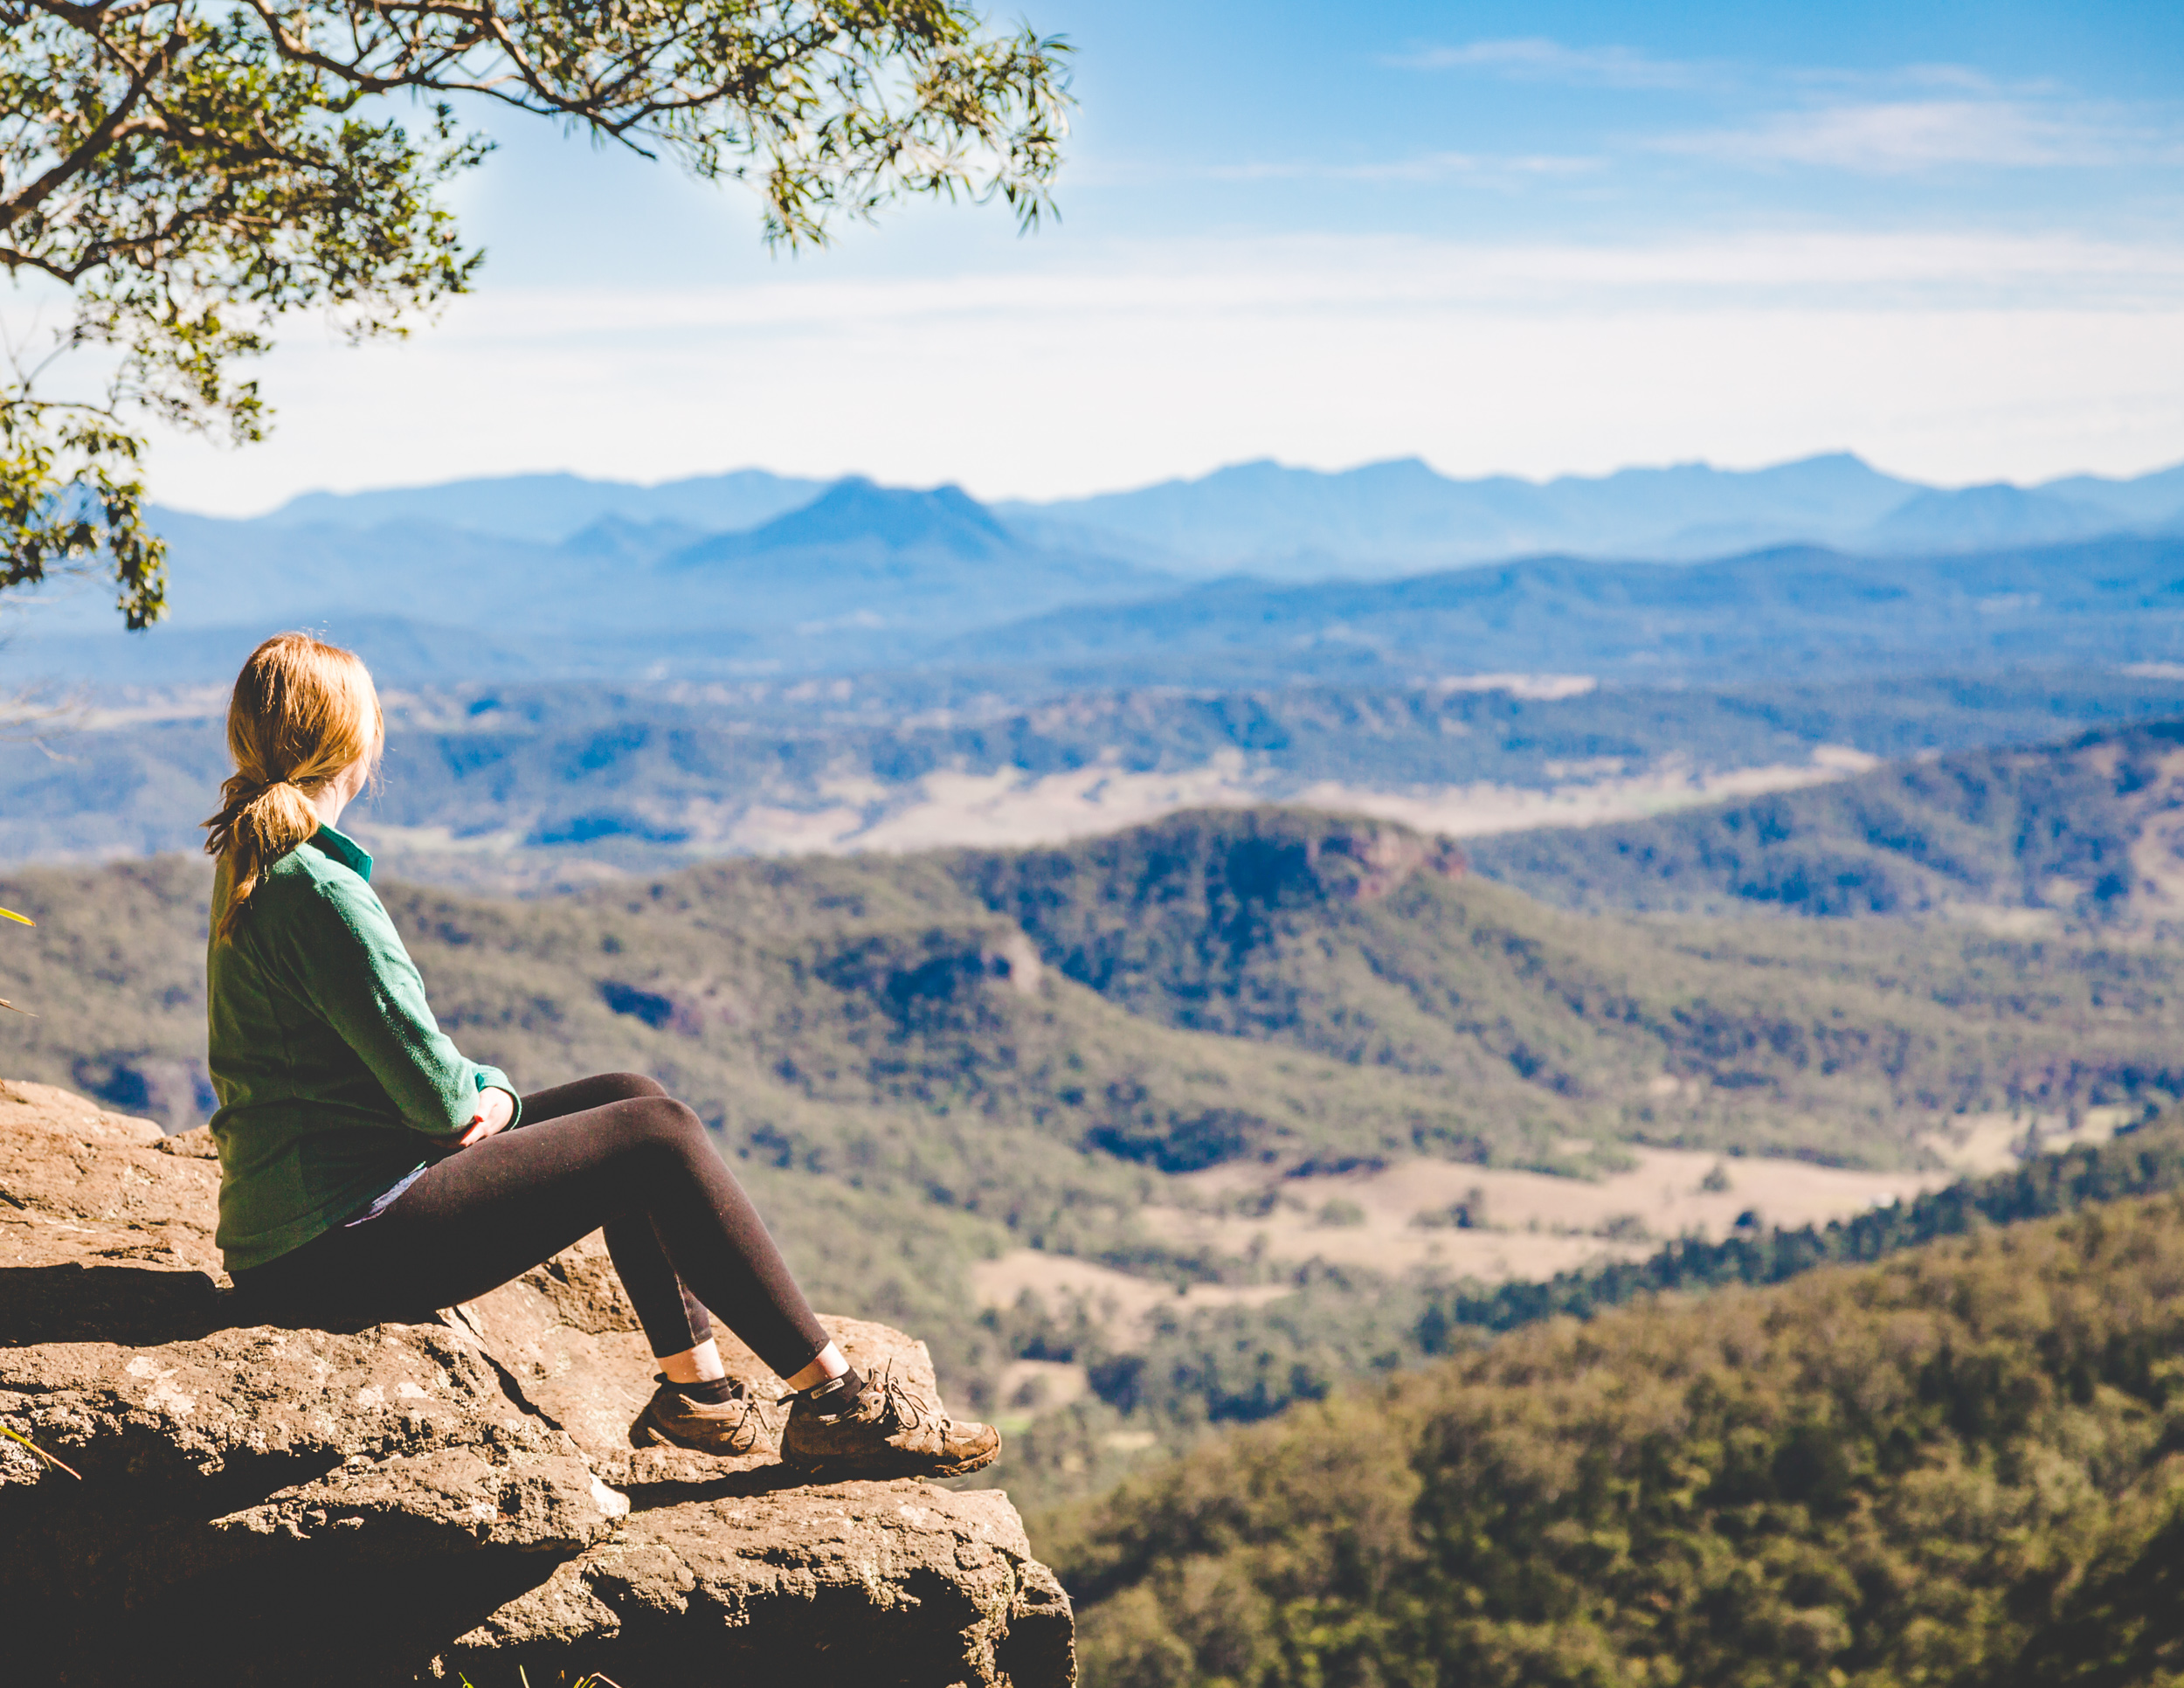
(857, 578)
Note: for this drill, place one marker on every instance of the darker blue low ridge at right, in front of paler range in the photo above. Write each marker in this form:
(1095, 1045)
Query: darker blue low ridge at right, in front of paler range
(1766, 615)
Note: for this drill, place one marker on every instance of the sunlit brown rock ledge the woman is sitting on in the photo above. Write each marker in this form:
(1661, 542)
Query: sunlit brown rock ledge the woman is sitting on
(414, 1503)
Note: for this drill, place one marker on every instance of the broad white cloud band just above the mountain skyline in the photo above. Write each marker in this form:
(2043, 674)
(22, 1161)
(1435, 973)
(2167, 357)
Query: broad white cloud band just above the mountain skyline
(1945, 357)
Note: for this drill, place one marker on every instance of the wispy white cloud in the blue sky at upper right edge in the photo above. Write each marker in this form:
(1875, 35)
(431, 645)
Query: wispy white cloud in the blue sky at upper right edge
(1912, 136)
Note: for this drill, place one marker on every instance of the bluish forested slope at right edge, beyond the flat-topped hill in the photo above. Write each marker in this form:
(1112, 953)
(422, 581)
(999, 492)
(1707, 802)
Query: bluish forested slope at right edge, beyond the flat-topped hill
(2091, 831)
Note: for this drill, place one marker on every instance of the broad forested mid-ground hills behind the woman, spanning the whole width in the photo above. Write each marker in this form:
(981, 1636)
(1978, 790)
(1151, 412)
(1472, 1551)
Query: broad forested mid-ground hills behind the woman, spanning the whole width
(929, 1060)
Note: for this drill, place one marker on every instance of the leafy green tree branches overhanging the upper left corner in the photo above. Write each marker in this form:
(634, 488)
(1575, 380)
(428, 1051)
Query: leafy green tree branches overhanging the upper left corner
(189, 171)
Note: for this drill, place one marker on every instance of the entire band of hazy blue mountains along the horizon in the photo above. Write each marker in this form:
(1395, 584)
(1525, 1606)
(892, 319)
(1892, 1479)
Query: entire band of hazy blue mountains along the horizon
(1333, 575)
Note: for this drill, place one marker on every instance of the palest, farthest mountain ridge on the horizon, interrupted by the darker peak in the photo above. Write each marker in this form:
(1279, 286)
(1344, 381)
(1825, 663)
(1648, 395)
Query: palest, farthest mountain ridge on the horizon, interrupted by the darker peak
(1384, 519)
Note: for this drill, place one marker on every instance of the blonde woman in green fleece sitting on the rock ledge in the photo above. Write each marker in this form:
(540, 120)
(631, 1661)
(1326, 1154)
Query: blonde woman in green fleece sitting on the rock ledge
(368, 1172)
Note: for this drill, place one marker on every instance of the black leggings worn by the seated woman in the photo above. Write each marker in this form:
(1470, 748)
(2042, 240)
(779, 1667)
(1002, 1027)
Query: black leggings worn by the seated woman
(613, 1152)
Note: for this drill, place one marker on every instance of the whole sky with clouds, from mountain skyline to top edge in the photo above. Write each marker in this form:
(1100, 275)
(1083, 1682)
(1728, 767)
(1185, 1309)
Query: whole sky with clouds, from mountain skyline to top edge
(1508, 239)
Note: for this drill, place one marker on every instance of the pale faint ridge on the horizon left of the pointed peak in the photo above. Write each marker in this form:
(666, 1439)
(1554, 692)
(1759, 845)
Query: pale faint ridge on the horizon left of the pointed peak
(551, 508)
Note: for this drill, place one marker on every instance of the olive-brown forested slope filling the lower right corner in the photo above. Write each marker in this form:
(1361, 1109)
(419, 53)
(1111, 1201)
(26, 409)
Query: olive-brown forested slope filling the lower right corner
(1954, 1469)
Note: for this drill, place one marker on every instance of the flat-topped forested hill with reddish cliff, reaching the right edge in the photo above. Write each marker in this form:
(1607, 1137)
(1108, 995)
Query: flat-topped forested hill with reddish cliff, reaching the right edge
(1357, 942)
